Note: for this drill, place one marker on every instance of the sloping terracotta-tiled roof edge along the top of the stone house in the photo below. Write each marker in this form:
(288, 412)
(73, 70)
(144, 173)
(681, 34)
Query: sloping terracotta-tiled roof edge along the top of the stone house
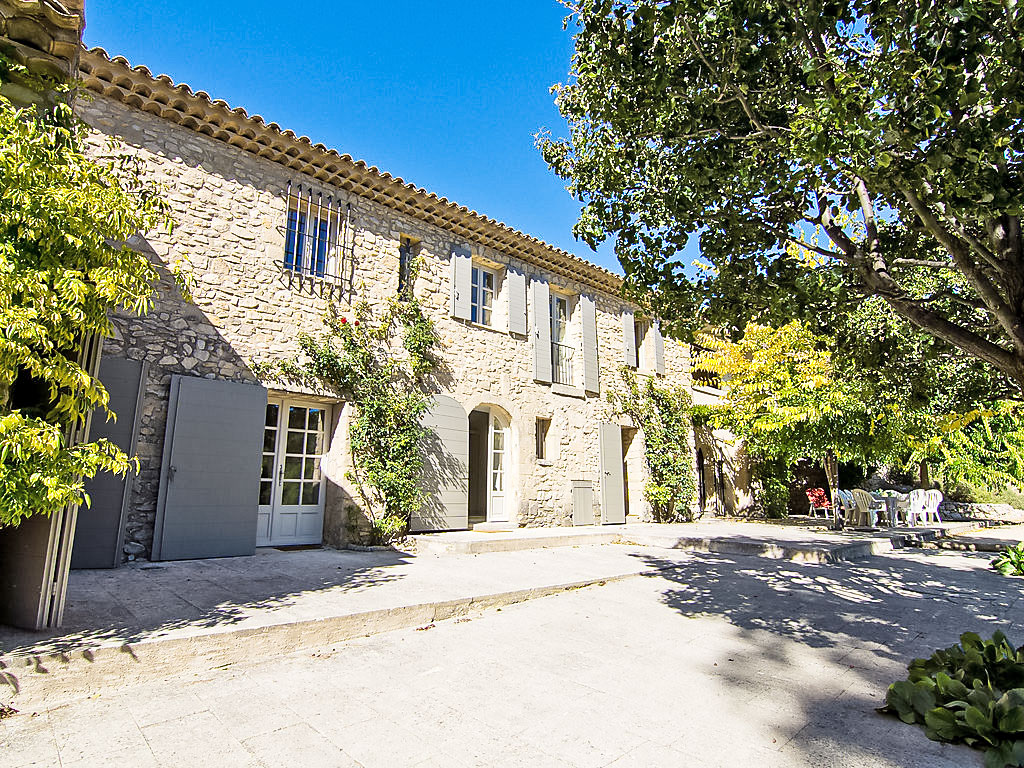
(178, 103)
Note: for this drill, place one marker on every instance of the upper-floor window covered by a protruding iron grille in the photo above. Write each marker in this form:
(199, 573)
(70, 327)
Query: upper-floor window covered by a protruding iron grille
(314, 232)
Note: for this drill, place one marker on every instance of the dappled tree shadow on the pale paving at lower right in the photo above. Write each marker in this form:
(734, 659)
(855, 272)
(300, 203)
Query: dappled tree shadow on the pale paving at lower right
(826, 642)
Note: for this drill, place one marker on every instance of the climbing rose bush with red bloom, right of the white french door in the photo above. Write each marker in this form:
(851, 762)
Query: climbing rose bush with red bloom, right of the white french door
(357, 361)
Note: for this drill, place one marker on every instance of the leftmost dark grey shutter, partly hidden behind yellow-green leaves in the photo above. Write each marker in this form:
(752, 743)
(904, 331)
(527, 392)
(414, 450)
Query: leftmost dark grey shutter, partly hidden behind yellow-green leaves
(99, 534)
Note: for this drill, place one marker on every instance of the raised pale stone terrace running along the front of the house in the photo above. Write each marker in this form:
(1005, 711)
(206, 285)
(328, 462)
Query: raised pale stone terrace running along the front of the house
(151, 620)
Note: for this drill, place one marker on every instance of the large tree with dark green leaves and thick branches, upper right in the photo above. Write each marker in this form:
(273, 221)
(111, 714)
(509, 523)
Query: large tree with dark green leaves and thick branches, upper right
(823, 153)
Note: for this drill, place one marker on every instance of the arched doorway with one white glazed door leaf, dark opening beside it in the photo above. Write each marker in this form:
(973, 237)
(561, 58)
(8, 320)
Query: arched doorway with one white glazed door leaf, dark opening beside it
(490, 459)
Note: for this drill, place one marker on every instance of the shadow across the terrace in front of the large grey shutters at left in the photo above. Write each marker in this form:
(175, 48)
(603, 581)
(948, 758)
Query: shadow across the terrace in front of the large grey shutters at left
(147, 601)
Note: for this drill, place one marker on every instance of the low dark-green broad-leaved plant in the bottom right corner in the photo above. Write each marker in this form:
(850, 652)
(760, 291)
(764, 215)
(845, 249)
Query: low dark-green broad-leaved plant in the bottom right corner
(972, 693)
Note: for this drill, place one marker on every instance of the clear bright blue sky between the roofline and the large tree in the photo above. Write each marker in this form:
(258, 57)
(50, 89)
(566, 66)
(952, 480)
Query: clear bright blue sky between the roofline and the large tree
(446, 96)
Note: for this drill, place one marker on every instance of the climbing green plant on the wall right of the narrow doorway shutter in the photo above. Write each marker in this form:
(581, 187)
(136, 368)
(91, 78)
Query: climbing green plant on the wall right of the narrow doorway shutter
(665, 417)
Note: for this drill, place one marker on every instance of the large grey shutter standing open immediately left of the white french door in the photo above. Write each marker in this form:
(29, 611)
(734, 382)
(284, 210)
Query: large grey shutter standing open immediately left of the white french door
(209, 482)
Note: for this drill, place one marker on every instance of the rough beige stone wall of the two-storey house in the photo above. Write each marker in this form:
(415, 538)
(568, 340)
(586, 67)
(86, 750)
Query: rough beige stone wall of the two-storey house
(230, 212)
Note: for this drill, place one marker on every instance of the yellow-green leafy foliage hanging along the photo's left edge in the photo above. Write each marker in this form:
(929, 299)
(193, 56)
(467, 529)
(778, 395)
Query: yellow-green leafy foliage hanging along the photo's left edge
(65, 218)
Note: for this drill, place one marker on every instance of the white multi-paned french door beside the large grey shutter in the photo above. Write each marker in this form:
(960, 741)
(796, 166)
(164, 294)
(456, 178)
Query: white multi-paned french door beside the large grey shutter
(291, 489)
